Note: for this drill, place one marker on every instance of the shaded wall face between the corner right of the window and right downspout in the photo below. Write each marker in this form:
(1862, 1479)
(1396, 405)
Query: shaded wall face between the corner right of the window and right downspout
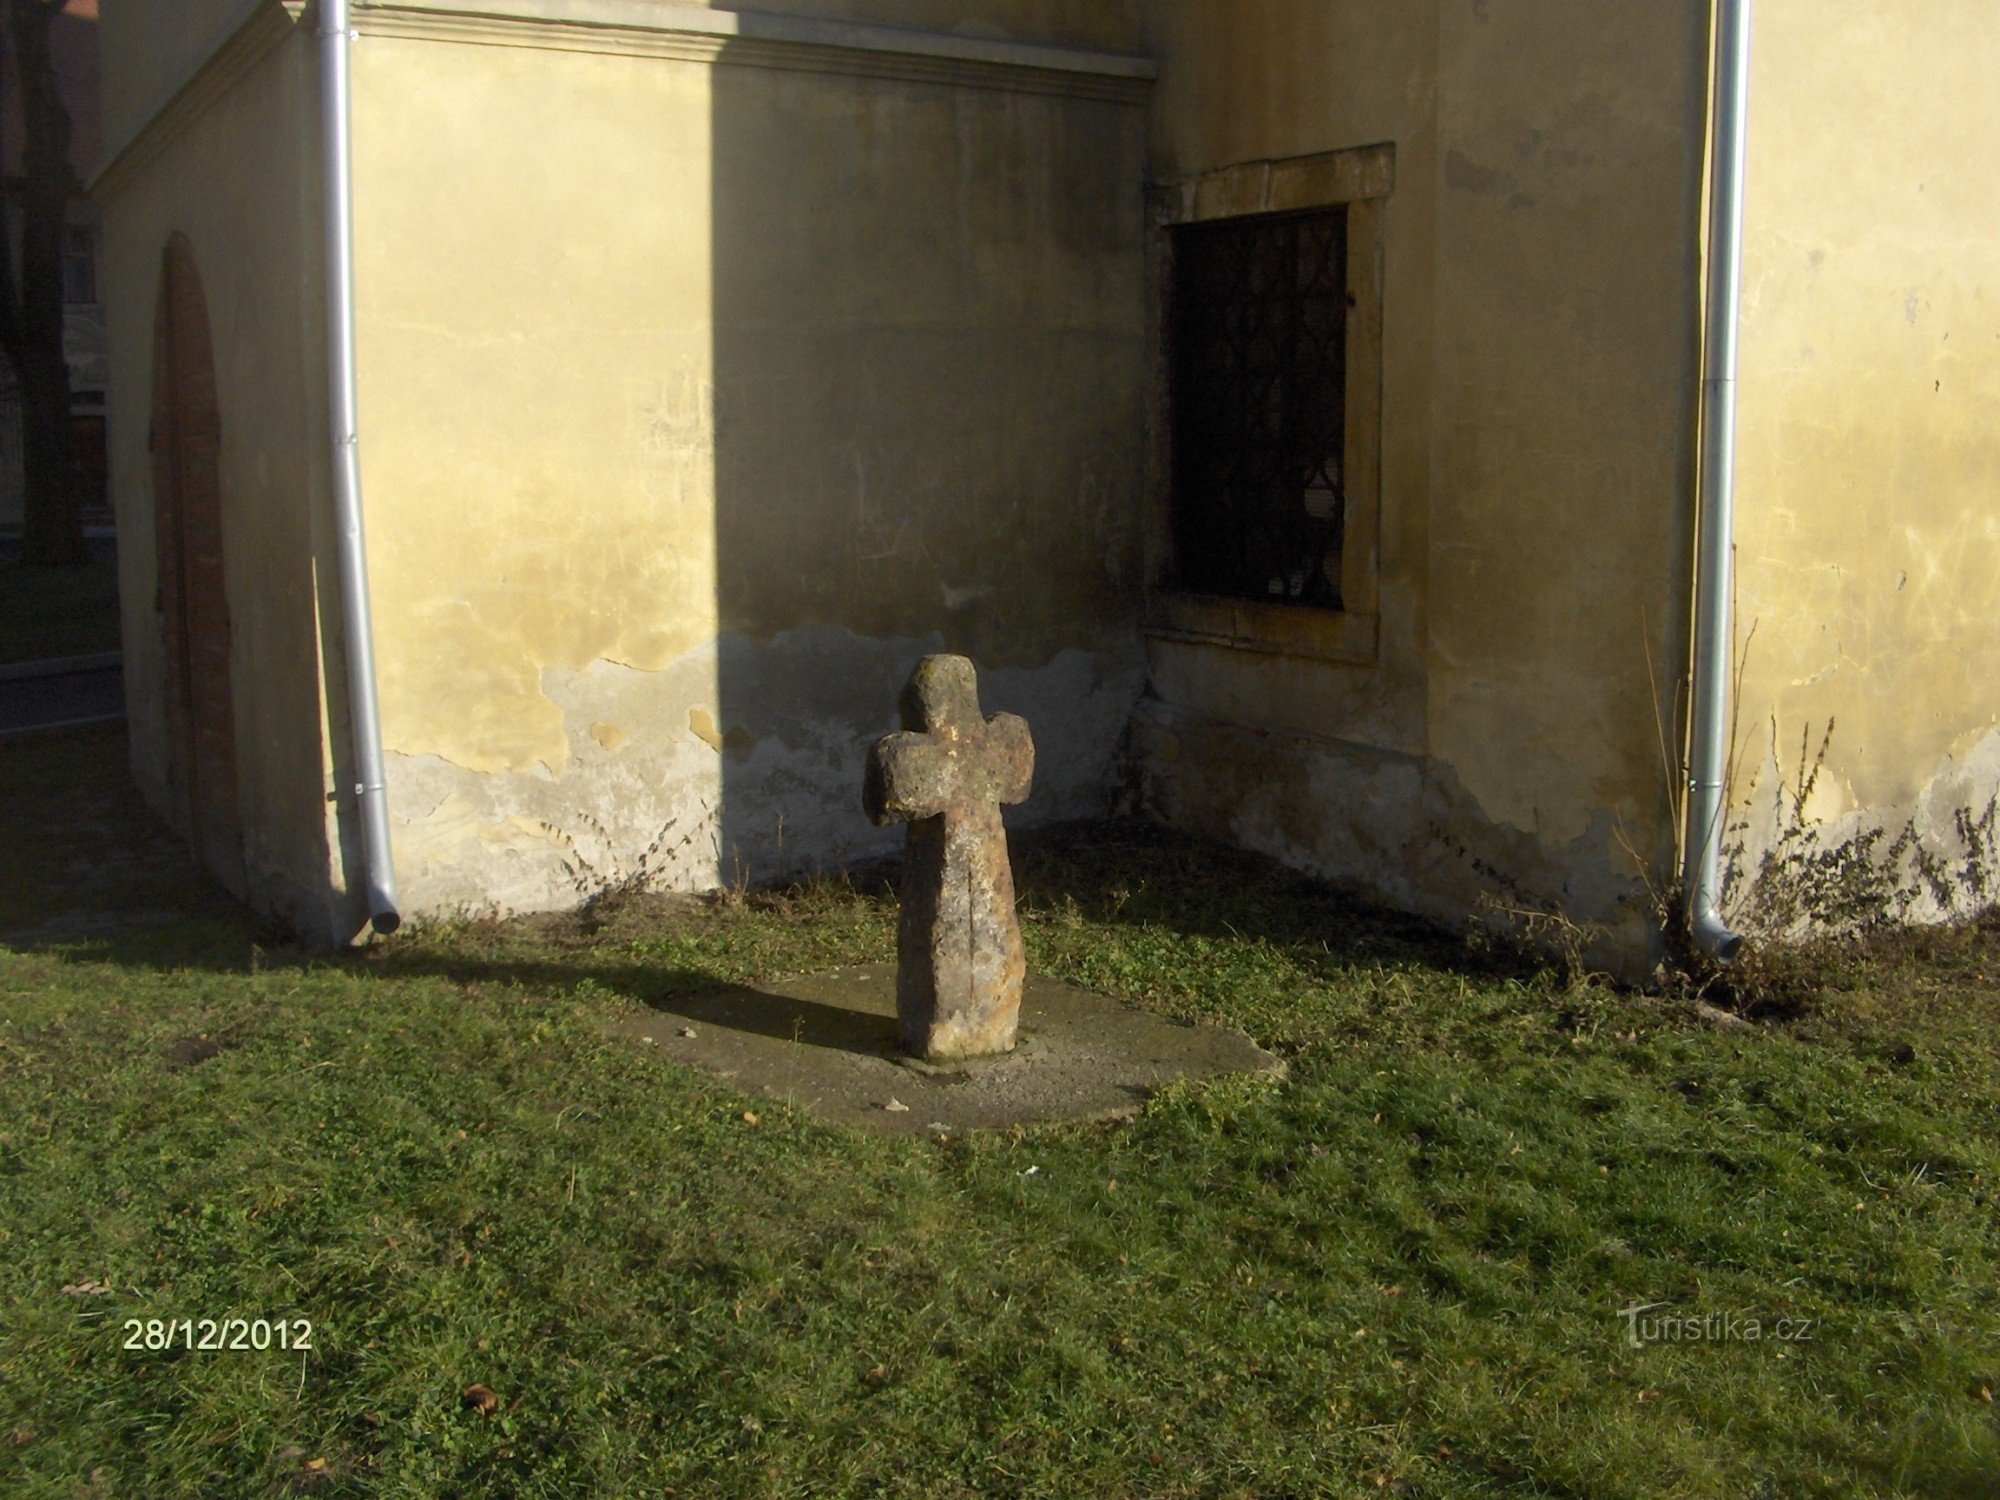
(1565, 401)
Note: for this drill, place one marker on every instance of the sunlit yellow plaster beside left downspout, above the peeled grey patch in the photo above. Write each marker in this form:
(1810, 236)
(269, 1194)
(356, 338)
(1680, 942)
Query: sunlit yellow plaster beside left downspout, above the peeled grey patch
(537, 389)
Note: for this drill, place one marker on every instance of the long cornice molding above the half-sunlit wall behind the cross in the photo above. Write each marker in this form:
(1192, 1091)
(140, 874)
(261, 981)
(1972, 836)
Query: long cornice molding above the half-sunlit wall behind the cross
(665, 29)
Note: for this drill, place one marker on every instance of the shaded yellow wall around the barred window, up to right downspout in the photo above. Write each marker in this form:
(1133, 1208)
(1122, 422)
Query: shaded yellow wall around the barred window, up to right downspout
(1539, 383)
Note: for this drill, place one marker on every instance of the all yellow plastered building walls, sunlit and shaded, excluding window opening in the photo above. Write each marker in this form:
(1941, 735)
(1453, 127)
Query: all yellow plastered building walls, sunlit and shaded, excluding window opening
(771, 351)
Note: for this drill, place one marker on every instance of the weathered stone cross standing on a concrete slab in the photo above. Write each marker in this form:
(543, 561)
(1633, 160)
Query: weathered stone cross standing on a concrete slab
(959, 961)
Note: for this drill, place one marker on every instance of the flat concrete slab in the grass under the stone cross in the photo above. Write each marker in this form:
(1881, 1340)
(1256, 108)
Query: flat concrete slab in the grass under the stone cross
(829, 1045)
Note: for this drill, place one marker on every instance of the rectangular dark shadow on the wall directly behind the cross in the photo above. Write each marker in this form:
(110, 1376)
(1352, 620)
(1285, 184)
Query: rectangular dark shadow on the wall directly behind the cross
(929, 357)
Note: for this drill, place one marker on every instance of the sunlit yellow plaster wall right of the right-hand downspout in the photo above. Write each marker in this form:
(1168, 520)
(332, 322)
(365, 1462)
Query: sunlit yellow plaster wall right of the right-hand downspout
(1869, 471)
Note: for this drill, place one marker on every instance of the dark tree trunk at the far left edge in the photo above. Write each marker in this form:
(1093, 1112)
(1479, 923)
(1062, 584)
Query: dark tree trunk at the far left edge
(31, 323)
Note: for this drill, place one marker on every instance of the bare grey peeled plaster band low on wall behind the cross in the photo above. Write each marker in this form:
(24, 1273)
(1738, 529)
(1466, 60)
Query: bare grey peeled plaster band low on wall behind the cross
(737, 763)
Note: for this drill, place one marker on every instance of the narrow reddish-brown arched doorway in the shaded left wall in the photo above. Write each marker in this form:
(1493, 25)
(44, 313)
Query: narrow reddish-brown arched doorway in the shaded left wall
(195, 617)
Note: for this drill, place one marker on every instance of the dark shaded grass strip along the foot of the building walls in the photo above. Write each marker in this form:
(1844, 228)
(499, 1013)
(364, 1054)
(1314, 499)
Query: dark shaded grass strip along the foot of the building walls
(89, 871)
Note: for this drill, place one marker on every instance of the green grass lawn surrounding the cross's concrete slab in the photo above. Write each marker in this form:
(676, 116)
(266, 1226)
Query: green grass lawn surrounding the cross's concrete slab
(1399, 1271)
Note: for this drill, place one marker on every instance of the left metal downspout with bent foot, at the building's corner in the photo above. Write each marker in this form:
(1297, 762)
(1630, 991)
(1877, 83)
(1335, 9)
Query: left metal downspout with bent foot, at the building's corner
(365, 713)
